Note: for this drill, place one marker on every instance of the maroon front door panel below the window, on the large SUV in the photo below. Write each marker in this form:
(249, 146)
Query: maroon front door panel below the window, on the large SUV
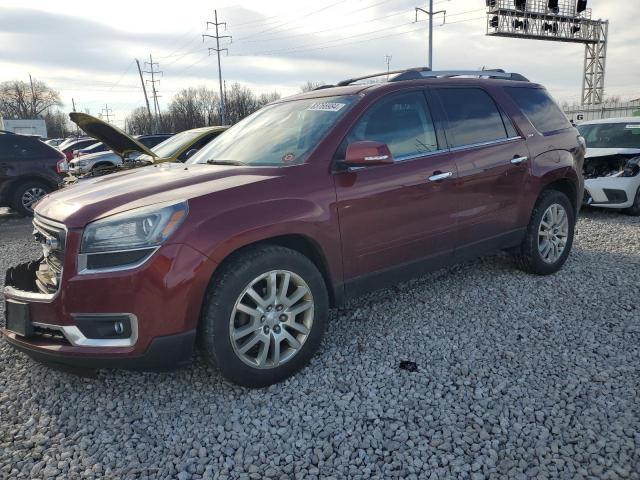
(392, 214)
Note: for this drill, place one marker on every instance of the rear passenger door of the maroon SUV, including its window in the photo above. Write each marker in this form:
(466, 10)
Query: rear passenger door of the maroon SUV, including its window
(484, 143)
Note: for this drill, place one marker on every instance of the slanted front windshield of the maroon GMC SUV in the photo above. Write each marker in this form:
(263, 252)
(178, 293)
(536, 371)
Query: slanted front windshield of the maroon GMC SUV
(277, 135)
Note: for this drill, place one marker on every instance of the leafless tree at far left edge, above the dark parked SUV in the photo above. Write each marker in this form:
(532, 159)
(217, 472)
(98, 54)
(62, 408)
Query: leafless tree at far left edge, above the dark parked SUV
(22, 100)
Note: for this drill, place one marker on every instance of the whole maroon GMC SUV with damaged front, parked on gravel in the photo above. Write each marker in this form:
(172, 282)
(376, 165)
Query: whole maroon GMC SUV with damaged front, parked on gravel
(310, 201)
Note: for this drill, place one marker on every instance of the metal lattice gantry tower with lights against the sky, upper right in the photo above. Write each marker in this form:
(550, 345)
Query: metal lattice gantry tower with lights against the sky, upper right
(558, 21)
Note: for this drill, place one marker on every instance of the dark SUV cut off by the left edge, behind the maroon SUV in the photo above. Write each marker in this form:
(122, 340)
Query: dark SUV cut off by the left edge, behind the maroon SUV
(29, 169)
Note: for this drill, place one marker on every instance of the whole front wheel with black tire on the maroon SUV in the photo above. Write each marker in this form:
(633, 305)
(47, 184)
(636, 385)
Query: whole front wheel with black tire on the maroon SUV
(264, 315)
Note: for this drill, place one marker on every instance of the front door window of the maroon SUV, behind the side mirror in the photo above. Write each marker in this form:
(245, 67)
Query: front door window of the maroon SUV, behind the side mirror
(403, 122)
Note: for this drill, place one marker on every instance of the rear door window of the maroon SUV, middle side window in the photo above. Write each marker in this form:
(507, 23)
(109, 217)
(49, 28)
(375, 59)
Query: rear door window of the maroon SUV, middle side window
(473, 117)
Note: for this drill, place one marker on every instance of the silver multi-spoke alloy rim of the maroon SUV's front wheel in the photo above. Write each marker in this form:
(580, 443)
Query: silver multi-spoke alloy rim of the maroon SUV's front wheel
(271, 319)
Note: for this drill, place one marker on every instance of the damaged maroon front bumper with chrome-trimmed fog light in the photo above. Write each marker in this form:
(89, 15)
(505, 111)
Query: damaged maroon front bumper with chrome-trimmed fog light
(163, 296)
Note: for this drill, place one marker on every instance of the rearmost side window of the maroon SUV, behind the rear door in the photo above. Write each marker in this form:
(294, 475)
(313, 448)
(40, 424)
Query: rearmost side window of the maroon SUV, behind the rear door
(539, 108)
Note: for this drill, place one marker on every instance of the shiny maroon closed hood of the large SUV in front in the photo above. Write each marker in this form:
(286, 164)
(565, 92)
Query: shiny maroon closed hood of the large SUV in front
(94, 198)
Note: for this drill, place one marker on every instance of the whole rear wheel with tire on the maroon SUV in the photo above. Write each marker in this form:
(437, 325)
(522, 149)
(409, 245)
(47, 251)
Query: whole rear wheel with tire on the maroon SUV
(549, 236)
